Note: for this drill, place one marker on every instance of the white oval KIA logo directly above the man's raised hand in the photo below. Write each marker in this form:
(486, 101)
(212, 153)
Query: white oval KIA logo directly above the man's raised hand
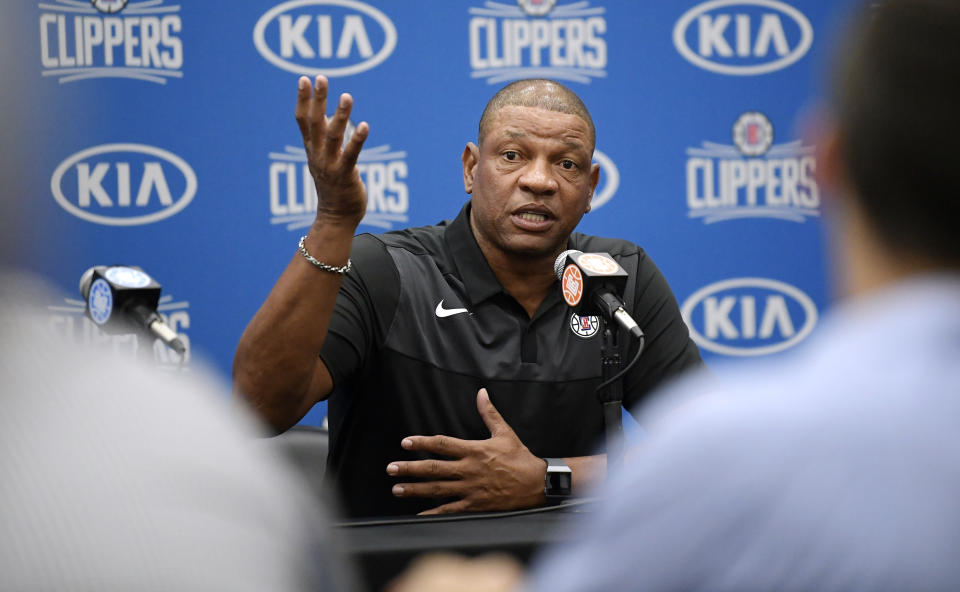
(329, 37)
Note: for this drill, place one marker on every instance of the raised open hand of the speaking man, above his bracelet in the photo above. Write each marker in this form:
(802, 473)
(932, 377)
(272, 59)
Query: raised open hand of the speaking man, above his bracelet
(341, 196)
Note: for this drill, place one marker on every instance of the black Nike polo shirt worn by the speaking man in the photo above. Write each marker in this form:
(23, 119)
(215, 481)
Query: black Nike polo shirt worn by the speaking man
(404, 364)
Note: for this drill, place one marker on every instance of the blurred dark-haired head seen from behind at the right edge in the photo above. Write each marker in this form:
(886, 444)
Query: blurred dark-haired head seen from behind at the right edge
(896, 90)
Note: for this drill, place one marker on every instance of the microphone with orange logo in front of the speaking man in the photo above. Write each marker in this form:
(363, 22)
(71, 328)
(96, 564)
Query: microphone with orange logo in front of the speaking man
(592, 284)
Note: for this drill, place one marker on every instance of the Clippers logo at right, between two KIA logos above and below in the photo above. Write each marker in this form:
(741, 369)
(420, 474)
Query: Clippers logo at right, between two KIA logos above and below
(753, 178)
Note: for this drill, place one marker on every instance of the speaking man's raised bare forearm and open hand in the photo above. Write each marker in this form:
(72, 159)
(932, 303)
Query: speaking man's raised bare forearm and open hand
(277, 368)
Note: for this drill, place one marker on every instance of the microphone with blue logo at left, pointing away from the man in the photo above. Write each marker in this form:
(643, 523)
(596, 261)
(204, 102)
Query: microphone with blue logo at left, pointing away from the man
(121, 298)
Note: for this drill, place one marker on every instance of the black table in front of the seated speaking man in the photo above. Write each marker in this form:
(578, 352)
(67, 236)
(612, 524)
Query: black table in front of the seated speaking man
(382, 549)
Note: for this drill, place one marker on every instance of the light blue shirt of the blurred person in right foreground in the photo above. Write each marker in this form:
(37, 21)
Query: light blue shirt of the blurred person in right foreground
(836, 468)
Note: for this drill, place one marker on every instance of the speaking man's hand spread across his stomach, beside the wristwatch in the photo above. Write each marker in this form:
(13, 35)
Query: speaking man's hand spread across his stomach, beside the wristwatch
(498, 473)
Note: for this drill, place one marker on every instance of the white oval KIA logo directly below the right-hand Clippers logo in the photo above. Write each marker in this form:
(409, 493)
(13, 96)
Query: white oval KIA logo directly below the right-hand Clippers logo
(749, 316)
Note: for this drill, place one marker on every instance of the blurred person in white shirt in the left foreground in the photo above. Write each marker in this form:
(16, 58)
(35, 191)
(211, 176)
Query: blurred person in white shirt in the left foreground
(113, 475)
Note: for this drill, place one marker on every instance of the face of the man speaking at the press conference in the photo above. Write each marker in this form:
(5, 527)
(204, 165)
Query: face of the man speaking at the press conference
(532, 180)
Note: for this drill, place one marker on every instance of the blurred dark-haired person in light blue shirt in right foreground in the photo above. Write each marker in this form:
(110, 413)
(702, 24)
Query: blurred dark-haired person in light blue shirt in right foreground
(837, 468)
